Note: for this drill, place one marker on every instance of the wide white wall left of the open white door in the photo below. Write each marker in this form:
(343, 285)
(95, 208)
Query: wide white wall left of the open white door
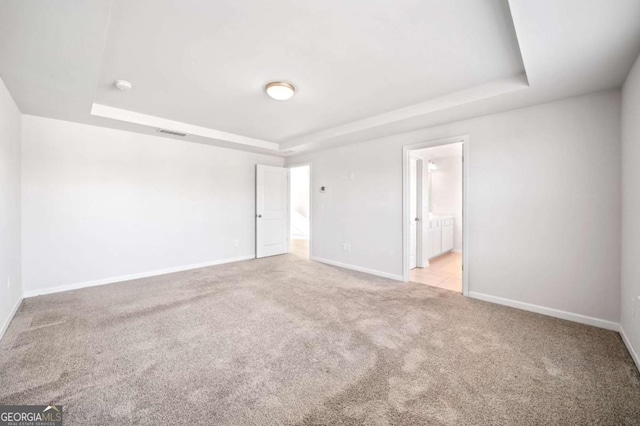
(99, 203)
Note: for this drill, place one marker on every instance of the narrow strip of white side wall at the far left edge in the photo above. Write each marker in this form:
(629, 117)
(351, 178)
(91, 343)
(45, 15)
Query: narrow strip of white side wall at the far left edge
(9, 207)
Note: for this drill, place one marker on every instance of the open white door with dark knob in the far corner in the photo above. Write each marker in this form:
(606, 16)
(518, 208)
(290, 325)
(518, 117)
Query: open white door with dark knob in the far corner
(272, 210)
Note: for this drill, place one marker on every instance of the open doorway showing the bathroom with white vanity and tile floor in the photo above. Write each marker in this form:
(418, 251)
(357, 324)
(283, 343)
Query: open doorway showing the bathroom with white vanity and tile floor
(434, 202)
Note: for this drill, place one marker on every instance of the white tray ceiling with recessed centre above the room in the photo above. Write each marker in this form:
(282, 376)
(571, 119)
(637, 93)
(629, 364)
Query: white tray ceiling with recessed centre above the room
(362, 69)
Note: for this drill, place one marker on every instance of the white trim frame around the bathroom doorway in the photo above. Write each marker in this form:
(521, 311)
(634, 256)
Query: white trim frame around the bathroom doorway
(406, 239)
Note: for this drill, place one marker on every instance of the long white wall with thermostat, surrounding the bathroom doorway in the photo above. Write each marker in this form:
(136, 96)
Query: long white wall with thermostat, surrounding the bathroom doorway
(543, 195)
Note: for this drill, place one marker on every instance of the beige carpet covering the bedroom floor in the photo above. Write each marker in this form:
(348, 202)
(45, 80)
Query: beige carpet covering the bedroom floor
(283, 340)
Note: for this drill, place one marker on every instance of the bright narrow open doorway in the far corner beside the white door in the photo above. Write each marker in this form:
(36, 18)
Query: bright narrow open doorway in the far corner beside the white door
(300, 210)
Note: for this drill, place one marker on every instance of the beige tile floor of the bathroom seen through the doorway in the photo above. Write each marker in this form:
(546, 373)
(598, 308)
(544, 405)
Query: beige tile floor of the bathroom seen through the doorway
(444, 271)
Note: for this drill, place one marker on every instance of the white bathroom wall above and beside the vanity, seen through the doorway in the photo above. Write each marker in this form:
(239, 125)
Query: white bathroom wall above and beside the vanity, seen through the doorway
(446, 197)
